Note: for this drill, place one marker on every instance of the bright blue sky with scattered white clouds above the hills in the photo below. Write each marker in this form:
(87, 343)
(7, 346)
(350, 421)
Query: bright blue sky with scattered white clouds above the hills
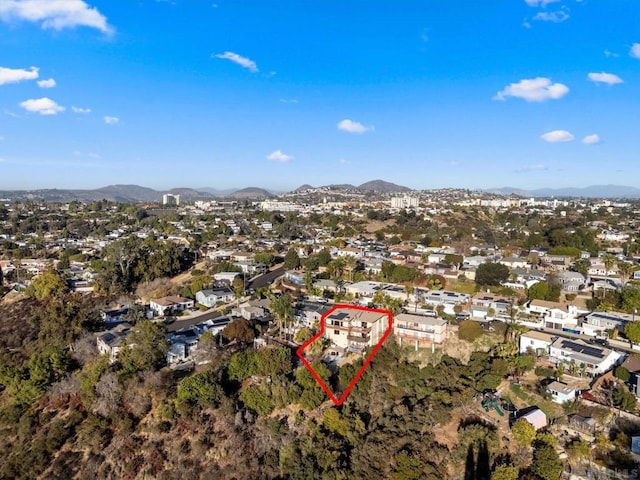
(222, 93)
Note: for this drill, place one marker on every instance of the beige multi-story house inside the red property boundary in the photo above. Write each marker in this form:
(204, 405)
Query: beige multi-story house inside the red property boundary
(355, 329)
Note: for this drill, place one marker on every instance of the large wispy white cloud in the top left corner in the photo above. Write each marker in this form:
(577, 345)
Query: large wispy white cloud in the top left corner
(56, 14)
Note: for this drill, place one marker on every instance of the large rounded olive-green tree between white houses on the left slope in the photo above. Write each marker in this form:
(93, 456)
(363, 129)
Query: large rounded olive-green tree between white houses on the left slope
(144, 348)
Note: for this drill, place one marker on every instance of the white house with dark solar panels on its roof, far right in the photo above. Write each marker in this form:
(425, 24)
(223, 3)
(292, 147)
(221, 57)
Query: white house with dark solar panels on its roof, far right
(596, 359)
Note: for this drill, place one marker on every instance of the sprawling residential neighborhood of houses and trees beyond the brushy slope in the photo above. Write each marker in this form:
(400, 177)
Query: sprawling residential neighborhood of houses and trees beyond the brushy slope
(190, 282)
